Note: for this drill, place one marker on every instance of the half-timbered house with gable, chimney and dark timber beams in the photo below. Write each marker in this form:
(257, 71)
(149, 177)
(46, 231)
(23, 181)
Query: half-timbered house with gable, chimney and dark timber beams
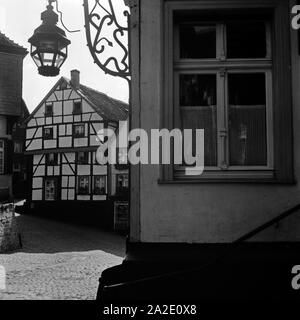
(61, 136)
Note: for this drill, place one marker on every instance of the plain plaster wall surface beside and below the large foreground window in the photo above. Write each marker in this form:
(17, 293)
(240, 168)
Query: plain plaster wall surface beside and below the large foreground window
(203, 213)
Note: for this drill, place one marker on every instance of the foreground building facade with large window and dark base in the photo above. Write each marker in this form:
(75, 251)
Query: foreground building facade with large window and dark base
(230, 67)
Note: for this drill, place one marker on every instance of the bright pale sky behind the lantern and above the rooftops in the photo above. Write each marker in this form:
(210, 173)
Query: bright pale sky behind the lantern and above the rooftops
(19, 19)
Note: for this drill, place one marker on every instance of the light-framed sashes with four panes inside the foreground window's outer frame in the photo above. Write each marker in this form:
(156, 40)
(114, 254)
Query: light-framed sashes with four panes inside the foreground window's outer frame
(223, 72)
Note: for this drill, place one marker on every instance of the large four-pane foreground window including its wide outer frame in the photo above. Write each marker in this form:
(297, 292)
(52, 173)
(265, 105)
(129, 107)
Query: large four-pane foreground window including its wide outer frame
(226, 74)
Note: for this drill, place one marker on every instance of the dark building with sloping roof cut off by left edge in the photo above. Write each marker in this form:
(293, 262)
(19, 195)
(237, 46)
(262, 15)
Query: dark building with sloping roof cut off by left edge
(12, 112)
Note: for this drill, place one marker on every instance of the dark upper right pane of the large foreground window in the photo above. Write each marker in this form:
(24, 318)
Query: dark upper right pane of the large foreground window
(246, 39)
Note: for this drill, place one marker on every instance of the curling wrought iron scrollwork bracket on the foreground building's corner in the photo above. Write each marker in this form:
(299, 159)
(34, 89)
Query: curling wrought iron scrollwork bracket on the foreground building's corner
(95, 20)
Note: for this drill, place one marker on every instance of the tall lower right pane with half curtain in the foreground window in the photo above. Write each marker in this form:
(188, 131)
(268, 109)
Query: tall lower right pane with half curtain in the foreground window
(247, 120)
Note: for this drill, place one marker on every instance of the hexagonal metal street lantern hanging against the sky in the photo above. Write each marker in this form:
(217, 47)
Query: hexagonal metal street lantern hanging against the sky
(49, 45)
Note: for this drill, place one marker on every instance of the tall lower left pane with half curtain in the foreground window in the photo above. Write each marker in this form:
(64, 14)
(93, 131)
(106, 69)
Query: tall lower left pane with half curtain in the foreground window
(198, 111)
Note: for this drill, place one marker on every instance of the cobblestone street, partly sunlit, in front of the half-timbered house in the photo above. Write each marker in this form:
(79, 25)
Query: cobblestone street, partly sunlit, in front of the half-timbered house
(59, 261)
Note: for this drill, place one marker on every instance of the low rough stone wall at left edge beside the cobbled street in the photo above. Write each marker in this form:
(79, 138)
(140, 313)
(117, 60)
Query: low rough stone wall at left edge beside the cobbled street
(9, 233)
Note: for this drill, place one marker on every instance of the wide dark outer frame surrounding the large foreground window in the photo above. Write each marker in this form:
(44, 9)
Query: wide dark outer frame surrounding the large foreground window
(281, 84)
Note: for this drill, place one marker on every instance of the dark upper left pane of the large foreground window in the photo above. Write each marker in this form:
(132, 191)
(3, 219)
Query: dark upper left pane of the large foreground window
(197, 41)
